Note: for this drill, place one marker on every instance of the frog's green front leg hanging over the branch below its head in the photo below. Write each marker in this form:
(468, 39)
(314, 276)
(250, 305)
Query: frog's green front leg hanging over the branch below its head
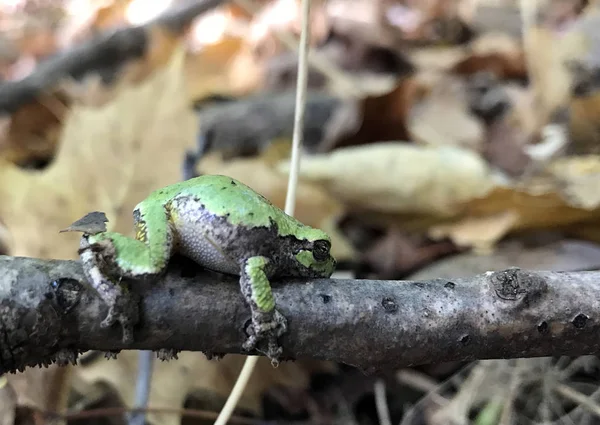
(267, 323)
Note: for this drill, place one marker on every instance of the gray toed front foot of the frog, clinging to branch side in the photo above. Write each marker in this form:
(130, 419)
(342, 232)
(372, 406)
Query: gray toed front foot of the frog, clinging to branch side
(266, 327)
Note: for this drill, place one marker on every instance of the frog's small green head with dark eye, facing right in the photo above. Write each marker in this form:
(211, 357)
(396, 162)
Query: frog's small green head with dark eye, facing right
(314, 258)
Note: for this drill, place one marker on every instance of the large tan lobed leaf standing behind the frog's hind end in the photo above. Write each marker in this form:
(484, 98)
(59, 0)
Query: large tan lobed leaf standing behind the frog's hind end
(106, 162)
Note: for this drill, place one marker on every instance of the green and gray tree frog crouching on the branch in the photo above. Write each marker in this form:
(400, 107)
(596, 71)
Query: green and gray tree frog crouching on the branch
(221, 224)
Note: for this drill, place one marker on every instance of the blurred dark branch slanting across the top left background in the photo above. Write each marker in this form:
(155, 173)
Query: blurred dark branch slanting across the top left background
(103, 52)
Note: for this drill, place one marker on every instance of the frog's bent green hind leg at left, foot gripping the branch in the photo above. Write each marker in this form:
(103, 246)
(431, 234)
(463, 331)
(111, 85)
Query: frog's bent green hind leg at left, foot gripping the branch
(108, 257)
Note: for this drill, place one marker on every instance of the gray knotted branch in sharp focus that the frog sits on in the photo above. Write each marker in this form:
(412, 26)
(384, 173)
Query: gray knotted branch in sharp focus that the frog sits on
(47, 312)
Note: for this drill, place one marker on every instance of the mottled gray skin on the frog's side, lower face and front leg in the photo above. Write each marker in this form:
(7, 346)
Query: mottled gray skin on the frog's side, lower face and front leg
(238, 243)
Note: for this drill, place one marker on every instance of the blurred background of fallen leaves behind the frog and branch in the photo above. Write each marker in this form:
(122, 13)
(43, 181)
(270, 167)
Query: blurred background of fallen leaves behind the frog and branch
(442, 138)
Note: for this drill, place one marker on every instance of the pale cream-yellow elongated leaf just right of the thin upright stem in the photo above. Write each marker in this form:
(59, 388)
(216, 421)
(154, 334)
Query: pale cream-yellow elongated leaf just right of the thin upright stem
(398, 177)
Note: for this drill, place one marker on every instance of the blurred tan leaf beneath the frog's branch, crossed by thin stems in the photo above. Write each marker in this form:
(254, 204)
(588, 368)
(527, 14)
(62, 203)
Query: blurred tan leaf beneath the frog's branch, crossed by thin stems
(174, 381)
